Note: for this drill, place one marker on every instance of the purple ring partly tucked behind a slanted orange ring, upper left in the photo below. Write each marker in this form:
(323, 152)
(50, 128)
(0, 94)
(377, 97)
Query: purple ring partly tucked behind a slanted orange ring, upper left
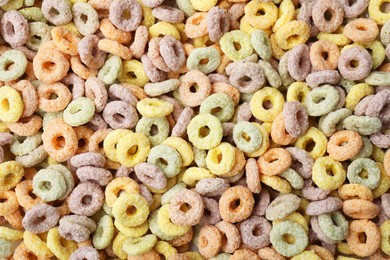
(89, 52)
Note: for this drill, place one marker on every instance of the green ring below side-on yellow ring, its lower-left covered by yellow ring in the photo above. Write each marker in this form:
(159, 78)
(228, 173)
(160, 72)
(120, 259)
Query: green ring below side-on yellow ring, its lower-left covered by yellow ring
(155, 128)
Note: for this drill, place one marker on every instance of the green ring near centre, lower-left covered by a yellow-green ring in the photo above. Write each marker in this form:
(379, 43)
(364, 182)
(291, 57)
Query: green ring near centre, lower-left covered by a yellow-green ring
(219, 105)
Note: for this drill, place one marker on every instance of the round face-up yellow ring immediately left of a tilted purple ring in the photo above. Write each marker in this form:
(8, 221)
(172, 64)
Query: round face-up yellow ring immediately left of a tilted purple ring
(263, 96)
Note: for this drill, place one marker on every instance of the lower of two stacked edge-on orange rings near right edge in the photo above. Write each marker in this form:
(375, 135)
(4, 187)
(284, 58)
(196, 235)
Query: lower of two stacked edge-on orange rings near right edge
(360, 209)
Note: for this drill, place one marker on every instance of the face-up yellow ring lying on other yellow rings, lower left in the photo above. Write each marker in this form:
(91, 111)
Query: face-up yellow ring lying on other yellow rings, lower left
(131, 209)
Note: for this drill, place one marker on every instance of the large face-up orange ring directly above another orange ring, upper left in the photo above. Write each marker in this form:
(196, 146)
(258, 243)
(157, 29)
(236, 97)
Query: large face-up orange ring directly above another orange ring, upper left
(50, 65)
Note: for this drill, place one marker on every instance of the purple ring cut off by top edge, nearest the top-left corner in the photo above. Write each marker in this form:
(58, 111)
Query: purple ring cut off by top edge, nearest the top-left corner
(58, 12)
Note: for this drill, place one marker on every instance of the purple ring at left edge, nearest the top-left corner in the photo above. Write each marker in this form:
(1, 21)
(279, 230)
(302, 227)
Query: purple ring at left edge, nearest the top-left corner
(14, 28)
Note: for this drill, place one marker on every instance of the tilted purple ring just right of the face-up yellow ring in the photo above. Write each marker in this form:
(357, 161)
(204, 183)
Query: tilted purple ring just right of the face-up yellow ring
(296, 118)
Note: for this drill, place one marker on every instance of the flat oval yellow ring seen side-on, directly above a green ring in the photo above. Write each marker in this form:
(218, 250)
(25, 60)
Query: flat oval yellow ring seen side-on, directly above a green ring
(154, 107)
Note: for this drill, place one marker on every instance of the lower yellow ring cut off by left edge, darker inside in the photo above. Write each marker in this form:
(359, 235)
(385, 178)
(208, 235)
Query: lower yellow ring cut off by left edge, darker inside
(11, 173)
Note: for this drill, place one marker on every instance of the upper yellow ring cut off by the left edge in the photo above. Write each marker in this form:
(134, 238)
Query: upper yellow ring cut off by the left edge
(11, 105)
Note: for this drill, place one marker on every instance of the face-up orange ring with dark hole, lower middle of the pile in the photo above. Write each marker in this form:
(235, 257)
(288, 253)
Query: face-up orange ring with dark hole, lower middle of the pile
(236, 204)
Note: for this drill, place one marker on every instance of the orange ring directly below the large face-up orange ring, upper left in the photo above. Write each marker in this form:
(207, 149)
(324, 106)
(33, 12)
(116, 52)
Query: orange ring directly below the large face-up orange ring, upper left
(45, 93)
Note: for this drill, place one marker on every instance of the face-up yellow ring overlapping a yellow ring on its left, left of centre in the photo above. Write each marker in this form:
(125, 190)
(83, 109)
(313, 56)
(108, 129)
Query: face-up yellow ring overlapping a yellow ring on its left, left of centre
(132, 149)
